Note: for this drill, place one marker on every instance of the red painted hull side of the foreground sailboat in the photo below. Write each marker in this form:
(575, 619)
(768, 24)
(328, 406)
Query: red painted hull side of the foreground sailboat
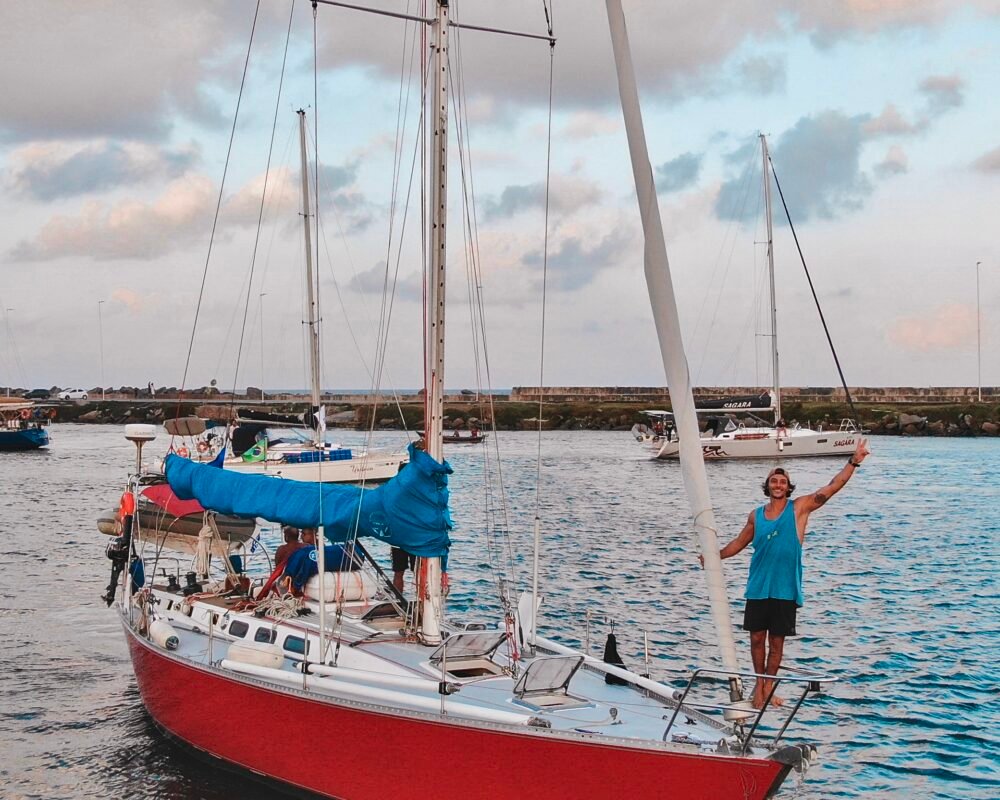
(372, 755)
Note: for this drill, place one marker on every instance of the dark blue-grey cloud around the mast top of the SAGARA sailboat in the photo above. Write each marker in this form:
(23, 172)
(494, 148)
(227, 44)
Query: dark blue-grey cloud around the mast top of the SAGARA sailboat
(818, 164)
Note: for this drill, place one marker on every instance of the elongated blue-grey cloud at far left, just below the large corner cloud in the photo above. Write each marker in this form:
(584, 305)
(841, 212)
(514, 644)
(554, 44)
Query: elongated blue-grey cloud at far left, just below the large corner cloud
(48, 171)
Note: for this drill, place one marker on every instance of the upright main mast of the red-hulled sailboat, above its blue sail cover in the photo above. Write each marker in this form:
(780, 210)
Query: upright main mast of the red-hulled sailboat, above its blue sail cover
(429, 582)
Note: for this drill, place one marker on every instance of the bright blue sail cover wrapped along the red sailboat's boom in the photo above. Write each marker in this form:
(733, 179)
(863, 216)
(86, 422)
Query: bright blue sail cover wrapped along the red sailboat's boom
(410, 511)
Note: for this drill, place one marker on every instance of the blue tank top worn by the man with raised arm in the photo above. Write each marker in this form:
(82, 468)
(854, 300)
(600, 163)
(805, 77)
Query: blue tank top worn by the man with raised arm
(776, 564)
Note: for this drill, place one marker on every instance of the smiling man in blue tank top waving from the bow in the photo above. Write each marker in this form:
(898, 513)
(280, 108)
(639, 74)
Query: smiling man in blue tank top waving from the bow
(774, 584)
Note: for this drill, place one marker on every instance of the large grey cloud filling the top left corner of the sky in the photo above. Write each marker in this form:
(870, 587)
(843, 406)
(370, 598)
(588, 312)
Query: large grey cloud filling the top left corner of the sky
(155, 64)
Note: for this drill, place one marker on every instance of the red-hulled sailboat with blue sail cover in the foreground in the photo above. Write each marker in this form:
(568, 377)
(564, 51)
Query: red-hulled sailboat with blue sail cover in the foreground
(414, 704)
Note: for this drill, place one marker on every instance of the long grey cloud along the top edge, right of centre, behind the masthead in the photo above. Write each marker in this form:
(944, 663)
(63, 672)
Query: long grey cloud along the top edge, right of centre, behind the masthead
(674, 57)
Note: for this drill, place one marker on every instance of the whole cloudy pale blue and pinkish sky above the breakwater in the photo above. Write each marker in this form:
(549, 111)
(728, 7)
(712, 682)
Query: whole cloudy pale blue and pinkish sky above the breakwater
(139, 243)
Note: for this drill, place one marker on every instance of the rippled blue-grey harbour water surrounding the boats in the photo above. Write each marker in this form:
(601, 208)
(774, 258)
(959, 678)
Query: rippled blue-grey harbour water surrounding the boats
(902, 604)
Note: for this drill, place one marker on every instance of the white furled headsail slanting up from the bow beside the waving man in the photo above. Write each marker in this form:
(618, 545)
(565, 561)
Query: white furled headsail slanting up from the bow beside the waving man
(668, 329)
